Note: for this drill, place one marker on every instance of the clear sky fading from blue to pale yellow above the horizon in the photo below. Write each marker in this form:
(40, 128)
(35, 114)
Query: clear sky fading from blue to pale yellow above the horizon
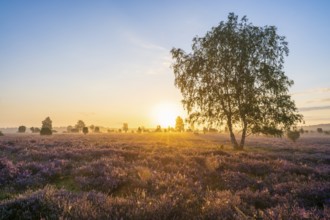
(108, 62)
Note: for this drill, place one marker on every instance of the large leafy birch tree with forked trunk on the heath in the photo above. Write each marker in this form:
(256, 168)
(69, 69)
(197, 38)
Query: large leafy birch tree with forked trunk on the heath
(235, 75)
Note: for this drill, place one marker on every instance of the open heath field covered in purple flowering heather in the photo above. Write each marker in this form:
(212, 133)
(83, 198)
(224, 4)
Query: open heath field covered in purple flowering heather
(163, 176)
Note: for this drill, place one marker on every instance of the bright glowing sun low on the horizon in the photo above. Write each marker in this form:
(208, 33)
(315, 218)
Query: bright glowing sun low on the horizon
(165, 113)
